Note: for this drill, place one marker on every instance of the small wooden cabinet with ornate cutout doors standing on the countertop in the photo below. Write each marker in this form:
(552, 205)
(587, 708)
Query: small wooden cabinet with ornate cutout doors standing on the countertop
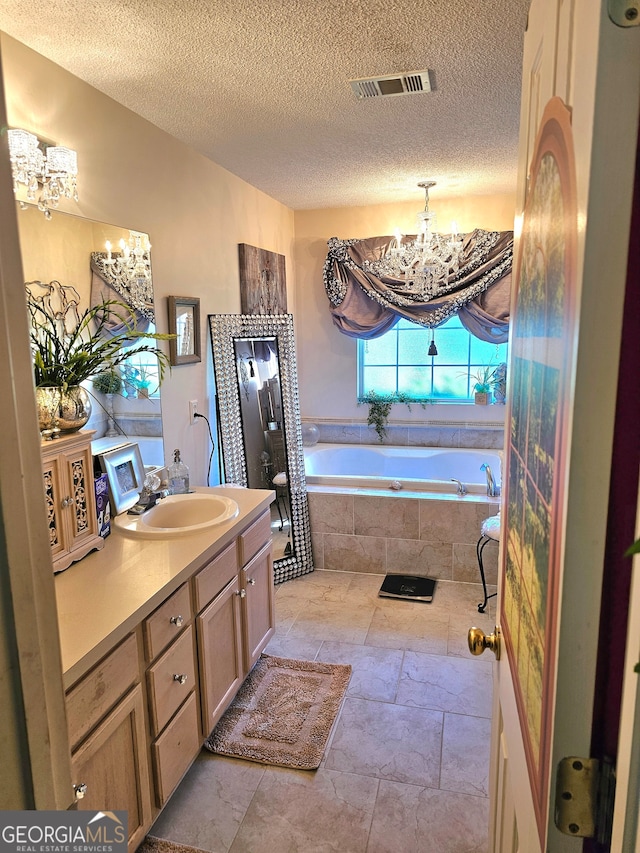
(67, 467)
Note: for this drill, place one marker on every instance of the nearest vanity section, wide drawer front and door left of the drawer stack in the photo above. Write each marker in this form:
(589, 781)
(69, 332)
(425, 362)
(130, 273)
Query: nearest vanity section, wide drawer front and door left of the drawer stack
(106, 718)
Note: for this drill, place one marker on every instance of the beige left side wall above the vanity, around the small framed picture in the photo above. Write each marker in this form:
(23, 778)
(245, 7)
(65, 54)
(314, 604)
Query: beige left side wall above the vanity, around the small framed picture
(134, 175)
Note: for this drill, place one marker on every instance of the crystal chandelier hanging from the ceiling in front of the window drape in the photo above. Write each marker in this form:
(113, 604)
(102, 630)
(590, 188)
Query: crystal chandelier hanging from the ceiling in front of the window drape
(425, 263)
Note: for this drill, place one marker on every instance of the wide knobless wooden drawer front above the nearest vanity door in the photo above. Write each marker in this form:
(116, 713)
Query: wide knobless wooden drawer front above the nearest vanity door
(98, 692)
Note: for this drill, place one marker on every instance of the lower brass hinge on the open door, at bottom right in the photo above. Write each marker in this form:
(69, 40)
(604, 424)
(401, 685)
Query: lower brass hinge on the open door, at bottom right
(585, 791)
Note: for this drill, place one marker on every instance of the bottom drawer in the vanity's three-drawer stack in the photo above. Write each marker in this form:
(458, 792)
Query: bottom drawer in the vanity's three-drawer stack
(175, 749)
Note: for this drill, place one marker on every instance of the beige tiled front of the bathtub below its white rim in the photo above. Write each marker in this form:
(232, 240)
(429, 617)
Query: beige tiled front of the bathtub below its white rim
(419, 533)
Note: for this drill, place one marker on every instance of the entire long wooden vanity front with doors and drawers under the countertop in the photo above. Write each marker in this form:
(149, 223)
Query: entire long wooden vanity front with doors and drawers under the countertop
(138, 718)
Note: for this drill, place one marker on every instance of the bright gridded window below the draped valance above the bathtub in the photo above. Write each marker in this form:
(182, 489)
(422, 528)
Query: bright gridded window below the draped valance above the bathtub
(397, 362)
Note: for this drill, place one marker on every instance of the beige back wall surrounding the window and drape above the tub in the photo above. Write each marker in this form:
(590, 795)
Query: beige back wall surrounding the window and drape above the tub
(326, 358)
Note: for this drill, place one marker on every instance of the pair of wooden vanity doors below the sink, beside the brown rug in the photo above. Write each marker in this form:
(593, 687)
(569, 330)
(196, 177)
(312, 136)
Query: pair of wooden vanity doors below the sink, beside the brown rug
(236, 592)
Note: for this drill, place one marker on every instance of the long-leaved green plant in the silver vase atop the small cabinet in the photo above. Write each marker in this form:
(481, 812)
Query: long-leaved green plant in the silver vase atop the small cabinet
(64, 357)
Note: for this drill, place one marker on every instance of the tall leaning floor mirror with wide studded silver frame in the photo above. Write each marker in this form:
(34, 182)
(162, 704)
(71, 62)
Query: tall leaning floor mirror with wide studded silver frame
(257, 388)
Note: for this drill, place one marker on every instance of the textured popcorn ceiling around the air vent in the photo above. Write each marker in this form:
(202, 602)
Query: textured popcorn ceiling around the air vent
(262, 87)
